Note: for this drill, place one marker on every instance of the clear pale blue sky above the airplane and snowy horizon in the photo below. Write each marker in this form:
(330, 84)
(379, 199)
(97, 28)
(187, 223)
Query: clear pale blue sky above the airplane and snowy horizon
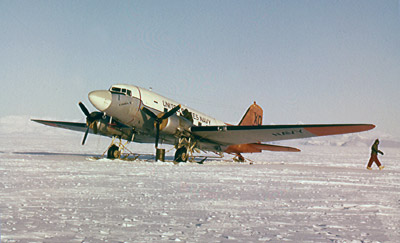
(302, 61)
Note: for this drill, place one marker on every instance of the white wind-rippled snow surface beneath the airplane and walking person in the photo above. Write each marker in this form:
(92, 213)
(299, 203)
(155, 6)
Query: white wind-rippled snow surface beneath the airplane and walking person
(51, 191)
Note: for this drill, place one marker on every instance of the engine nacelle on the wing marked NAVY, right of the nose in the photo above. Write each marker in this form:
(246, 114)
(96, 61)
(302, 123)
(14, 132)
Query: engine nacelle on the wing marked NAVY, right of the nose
(175, 125)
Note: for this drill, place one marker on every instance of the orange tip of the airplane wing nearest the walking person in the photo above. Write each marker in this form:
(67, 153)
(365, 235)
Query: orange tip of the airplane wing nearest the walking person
(339, 129)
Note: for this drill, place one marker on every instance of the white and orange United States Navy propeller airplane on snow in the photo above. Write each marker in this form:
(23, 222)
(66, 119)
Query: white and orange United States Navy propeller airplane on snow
(140, 115)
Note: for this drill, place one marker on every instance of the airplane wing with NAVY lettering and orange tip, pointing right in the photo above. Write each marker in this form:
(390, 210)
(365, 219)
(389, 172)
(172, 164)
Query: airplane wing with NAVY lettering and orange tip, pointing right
(231, 135)
